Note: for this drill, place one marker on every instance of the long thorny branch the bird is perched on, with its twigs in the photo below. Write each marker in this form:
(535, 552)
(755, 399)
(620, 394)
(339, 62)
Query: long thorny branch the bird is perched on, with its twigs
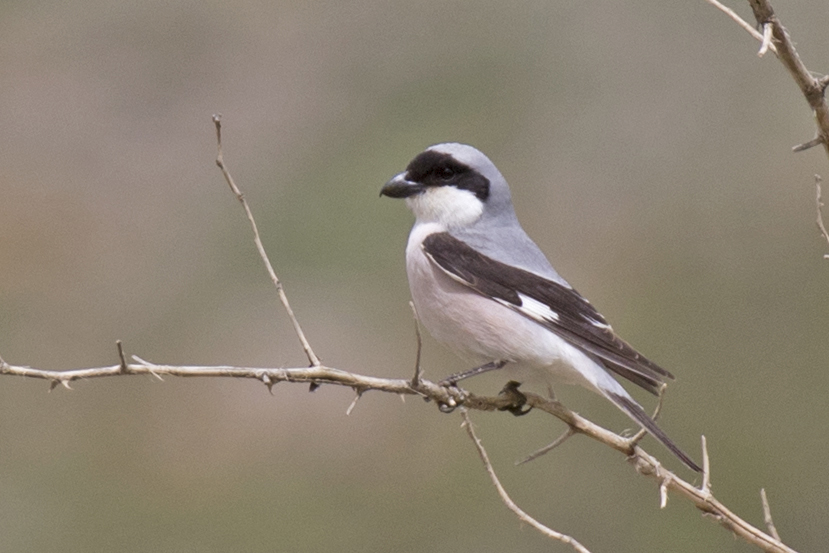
(446, 397)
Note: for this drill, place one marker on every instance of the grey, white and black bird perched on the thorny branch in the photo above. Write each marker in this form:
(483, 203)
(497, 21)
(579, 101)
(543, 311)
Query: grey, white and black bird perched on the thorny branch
(485, 290)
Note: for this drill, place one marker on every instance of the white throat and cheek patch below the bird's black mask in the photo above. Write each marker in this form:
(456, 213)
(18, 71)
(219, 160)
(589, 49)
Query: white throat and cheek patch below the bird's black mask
(448, 206)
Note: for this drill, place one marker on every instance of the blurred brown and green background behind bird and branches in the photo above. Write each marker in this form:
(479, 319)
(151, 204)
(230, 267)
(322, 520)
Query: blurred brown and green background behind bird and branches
(648, 149)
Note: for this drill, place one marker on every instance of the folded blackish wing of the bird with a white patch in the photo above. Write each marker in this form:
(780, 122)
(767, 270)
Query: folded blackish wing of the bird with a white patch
(554, 305)
